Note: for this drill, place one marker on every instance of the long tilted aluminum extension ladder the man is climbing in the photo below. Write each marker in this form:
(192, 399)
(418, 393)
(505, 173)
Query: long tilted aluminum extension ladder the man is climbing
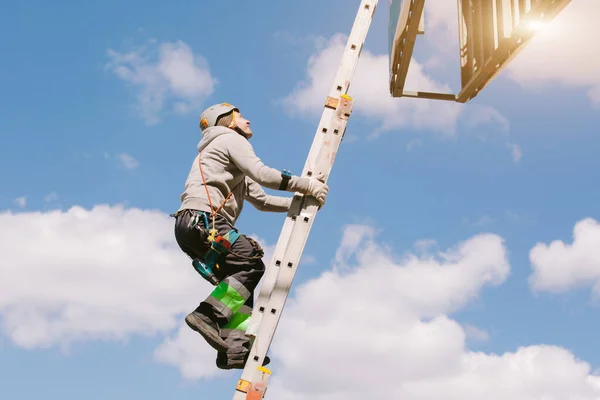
(281, 271)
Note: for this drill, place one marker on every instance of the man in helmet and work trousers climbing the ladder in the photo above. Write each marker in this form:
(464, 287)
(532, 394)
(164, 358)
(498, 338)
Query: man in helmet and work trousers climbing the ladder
(224, 174)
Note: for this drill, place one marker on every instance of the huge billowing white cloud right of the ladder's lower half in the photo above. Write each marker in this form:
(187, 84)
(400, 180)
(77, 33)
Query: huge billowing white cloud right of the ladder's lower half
(384, 324)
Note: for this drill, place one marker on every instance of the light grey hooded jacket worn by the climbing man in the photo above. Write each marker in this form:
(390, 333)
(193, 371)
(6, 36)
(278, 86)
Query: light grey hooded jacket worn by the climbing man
(229, 165)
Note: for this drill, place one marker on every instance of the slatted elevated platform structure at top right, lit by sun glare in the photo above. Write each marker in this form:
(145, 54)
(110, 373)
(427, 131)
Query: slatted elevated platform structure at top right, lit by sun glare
(491, 34)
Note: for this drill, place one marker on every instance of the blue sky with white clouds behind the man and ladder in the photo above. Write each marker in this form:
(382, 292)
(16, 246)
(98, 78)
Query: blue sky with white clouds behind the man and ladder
(99, 127)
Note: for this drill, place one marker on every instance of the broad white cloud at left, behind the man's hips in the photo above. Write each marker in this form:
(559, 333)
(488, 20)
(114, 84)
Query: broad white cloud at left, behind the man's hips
(99, 274)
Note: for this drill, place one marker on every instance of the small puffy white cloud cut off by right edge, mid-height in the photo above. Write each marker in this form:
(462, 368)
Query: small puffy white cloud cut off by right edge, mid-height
(559, 266)
